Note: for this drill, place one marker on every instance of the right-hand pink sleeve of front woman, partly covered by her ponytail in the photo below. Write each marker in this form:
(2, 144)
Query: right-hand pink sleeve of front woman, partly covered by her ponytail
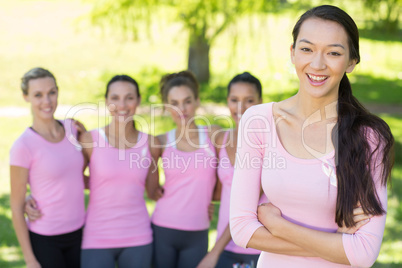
(362, 248)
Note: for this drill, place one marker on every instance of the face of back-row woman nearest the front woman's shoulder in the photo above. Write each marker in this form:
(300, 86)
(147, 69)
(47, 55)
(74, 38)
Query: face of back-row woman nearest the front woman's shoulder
(241, 96)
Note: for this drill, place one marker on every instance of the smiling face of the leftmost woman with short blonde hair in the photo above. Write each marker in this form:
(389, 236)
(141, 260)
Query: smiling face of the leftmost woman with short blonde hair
(42, 94)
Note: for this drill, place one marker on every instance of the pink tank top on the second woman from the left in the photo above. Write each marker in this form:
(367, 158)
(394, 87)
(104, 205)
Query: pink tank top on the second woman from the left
(117, 215)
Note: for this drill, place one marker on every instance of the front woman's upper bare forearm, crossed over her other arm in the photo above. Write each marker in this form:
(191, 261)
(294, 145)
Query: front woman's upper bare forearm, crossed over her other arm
(328, 246)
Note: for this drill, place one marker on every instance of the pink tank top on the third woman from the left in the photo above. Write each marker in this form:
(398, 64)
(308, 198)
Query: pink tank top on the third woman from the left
(190, 178)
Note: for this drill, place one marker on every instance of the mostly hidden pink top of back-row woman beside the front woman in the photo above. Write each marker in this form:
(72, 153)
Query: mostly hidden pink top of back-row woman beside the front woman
(225, 174)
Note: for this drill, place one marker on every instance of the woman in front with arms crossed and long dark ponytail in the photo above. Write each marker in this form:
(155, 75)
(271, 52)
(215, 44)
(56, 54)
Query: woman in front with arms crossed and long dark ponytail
(318, 155)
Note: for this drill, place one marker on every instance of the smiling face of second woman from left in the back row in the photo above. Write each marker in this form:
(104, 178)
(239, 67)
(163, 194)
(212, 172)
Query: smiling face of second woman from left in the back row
(122, 100)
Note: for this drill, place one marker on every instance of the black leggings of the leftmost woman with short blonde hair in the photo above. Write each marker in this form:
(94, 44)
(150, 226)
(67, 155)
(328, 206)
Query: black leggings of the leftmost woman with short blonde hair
(61, 251)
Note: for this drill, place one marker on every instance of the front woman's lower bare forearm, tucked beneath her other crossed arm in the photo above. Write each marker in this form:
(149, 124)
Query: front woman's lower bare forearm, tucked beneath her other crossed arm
(263, 240)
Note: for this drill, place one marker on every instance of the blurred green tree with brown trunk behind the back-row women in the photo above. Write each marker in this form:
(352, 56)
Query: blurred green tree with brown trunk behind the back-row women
(204, 20)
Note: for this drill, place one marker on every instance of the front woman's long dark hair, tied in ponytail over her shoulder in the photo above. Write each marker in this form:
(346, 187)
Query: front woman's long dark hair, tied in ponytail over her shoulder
(362, 141)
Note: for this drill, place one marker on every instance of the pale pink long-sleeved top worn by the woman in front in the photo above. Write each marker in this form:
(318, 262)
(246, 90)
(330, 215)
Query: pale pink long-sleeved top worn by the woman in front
(304, 190)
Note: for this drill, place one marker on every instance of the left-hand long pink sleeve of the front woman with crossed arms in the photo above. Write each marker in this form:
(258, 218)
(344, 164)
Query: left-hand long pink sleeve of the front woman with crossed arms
(245, 193)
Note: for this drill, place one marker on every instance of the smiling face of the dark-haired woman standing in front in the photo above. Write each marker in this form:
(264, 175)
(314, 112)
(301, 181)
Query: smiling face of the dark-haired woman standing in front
(321, 57)
